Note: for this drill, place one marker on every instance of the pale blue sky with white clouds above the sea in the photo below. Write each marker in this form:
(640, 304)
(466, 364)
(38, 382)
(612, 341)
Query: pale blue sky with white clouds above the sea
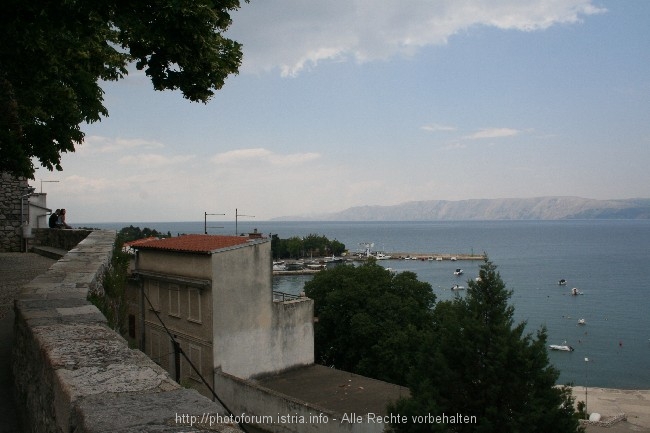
(378, 102)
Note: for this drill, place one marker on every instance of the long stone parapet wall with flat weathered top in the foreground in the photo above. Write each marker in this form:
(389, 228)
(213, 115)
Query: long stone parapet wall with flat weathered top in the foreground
(73, 374)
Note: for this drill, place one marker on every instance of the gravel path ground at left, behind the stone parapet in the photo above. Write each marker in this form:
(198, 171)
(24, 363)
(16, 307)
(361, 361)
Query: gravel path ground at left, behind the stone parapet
(16, 270)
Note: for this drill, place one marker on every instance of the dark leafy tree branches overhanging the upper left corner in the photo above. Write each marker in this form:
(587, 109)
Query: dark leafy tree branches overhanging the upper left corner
(53, 55)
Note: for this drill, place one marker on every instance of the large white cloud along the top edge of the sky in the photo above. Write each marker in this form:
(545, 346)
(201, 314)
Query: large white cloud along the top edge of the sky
(292, 36)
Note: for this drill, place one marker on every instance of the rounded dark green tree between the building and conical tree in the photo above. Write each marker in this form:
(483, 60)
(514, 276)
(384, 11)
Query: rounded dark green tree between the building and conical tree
(370, 321)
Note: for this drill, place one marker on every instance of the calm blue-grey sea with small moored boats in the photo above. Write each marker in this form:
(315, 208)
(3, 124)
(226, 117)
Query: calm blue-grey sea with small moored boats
(606, 260)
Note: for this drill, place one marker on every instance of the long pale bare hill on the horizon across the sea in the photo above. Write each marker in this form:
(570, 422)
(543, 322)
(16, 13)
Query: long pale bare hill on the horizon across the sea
(539, 208)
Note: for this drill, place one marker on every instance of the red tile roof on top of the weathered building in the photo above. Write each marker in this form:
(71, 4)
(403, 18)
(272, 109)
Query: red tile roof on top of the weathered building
(193, 243)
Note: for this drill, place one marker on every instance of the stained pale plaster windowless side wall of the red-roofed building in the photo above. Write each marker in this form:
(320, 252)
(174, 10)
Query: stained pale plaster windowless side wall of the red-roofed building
(252, 334)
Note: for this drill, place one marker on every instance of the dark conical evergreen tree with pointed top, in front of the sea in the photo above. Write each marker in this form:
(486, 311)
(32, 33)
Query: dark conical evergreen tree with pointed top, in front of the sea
(477, 362)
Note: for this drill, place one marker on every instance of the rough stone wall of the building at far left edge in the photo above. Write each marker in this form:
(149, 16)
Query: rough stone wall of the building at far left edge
(11, 189)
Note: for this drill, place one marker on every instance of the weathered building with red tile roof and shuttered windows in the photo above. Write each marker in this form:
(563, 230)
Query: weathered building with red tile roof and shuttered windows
(213, 294)
